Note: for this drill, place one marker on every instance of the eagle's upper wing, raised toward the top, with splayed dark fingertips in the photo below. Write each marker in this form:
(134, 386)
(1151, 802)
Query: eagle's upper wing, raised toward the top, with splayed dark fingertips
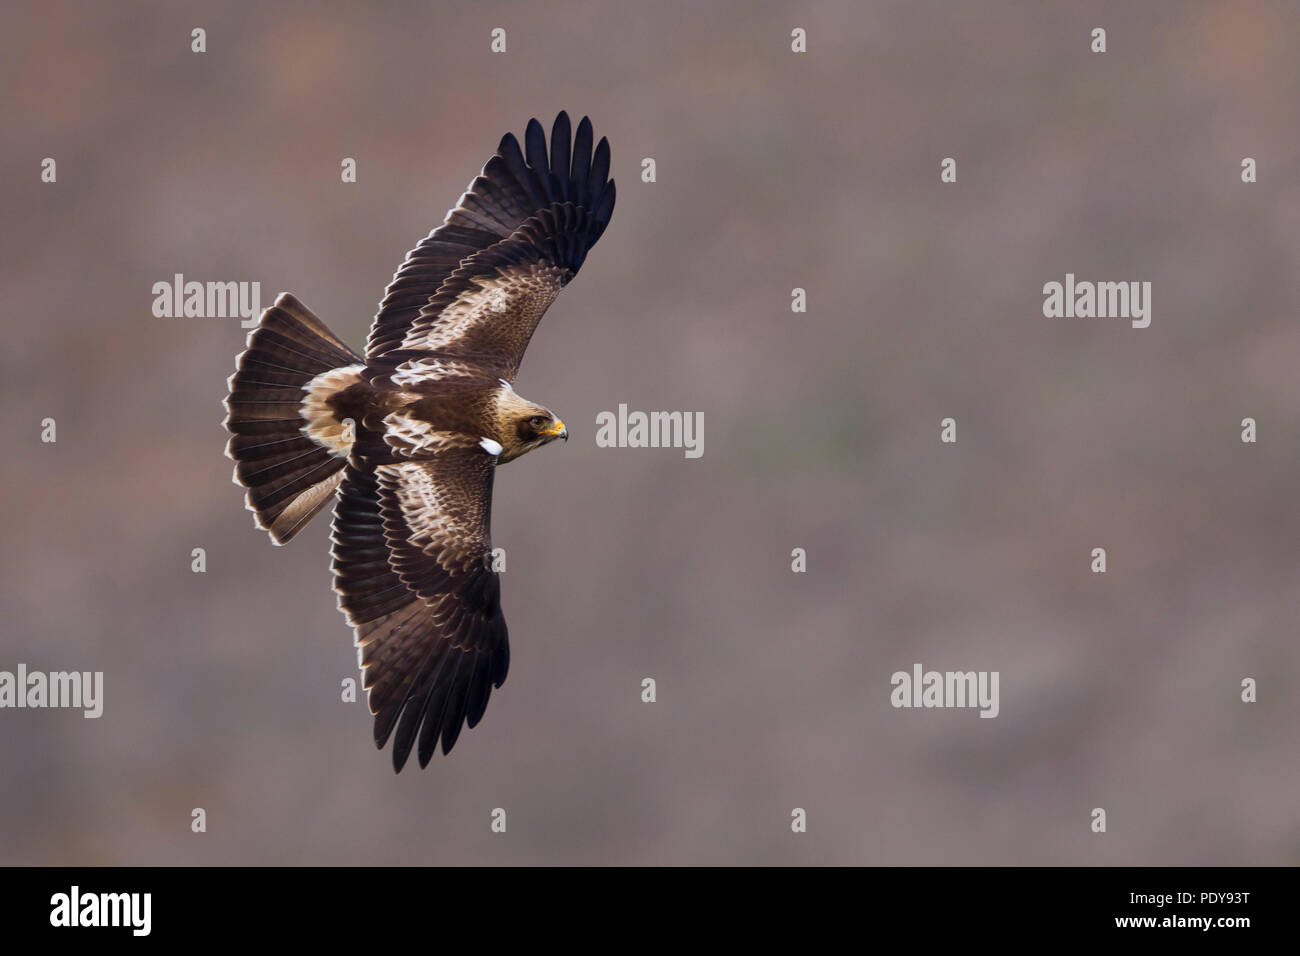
(535, 214)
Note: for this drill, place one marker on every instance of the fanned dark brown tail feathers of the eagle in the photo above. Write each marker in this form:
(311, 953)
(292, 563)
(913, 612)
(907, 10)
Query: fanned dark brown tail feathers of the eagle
(289, 475)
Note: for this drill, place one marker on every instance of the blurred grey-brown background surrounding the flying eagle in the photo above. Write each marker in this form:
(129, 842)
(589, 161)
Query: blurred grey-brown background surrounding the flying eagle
(821, 431)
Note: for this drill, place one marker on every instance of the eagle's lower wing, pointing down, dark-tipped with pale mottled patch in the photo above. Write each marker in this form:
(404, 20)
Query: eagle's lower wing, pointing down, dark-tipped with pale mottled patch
(411, 546)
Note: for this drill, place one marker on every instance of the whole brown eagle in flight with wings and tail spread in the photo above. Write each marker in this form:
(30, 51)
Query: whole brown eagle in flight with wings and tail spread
(406, 440)
